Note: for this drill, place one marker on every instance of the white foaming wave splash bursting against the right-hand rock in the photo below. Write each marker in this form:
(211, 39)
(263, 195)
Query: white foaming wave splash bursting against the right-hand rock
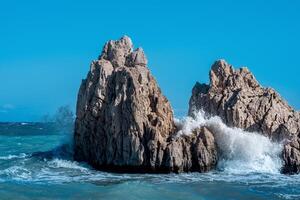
(240, 151)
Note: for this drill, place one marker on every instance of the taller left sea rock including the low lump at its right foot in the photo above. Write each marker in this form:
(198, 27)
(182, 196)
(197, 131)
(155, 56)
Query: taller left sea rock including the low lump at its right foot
(124, 123)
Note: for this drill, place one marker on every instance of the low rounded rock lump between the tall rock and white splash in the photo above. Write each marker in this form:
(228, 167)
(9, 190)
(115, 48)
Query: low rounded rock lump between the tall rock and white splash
(195, 152)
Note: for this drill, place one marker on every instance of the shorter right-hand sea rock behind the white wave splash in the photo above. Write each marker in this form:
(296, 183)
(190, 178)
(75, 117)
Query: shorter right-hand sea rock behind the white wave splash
(240, 101)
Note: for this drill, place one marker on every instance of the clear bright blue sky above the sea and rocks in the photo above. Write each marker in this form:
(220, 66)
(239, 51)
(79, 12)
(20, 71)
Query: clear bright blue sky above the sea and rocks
(46, 46)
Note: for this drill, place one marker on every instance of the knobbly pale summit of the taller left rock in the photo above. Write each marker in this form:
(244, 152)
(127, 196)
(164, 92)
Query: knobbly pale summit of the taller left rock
(120, 53)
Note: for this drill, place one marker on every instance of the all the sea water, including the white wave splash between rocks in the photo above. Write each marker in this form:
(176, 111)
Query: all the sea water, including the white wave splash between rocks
(35, 163)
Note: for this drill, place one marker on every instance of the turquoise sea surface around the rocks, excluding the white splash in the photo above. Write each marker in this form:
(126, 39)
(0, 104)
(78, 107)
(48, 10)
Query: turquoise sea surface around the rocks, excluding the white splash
(33, 166)
